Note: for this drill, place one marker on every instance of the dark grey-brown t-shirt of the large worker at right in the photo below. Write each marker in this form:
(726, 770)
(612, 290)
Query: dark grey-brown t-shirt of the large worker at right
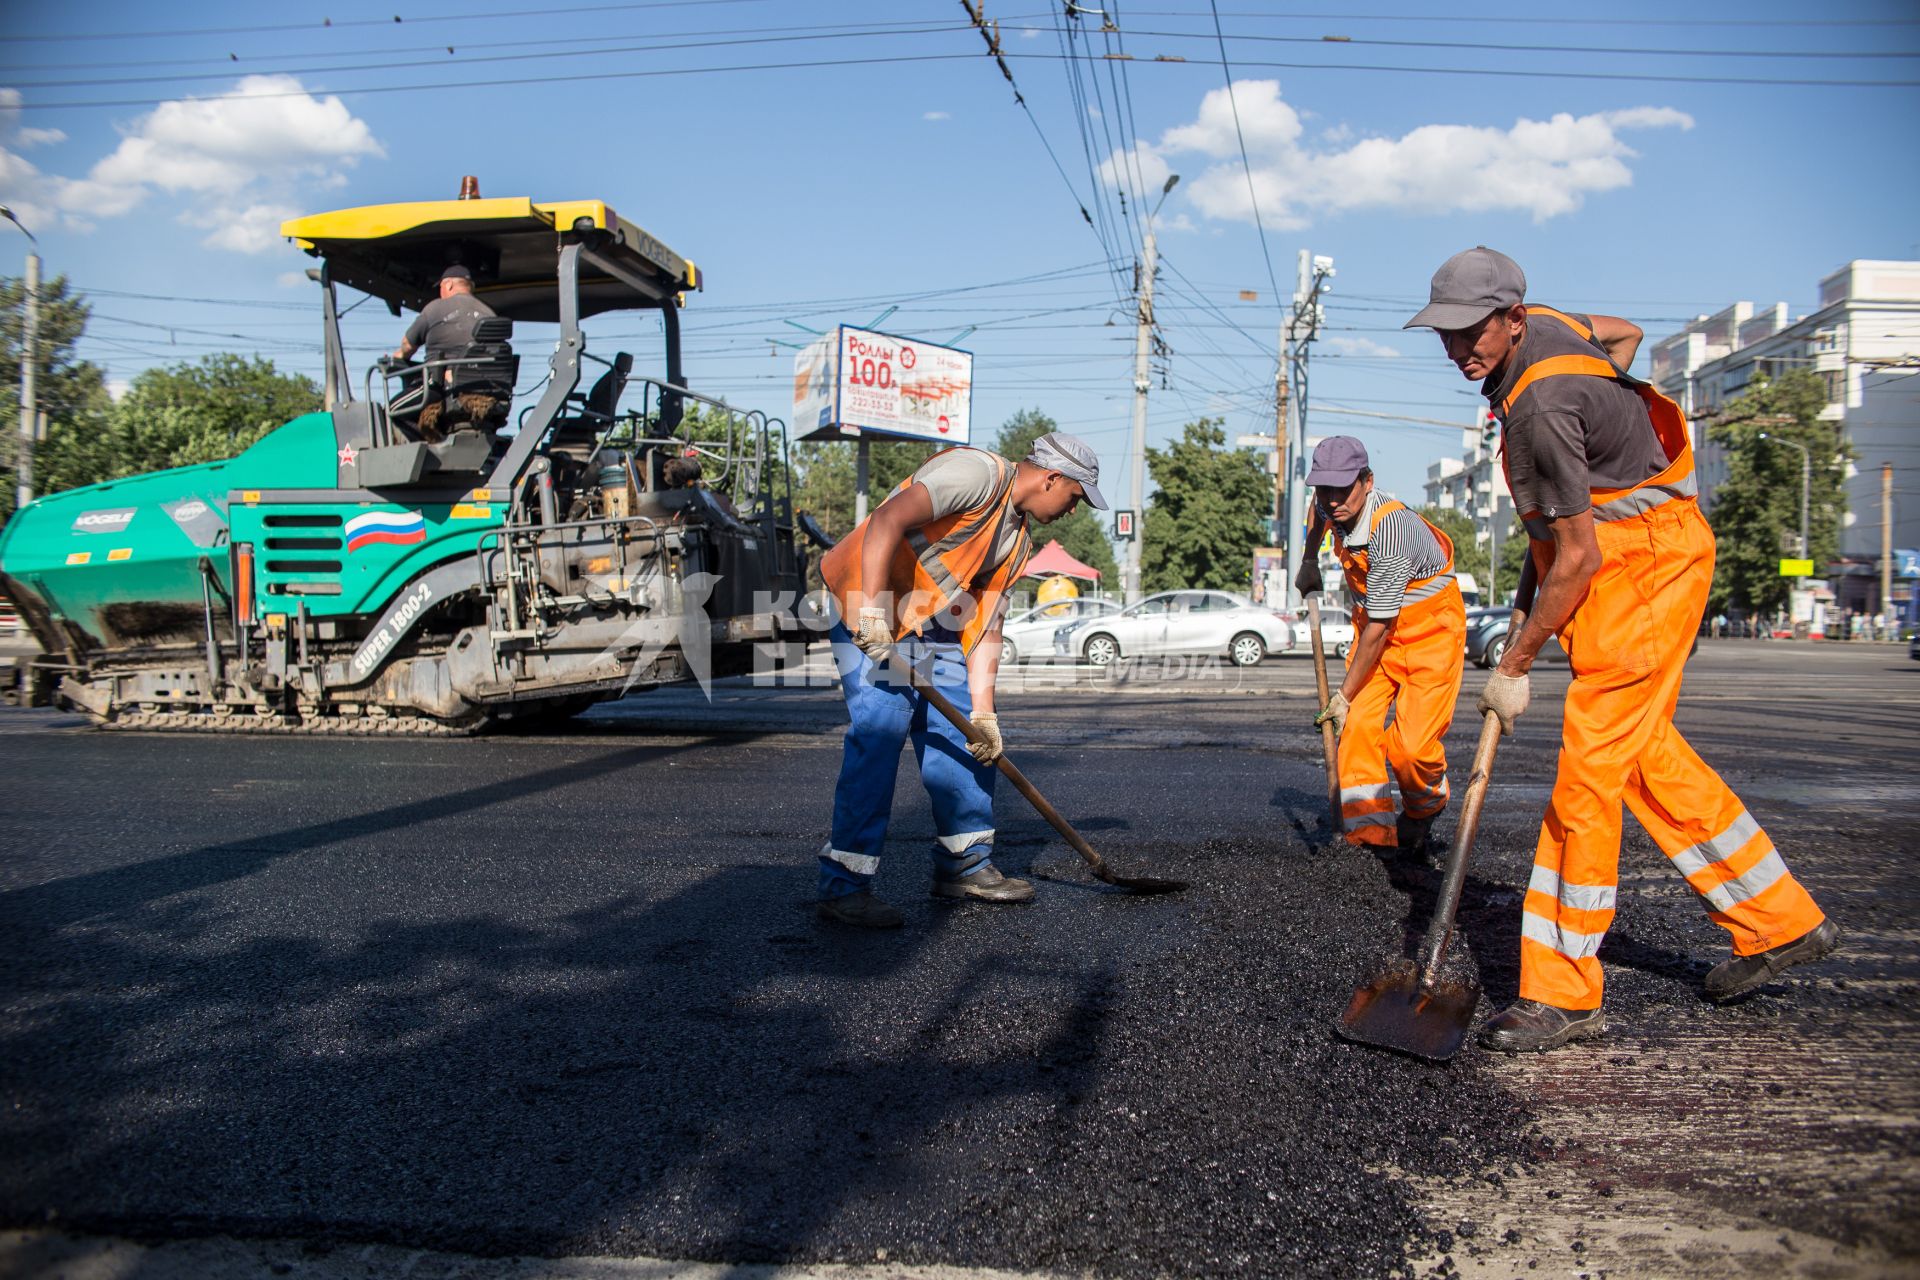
(1570, 435)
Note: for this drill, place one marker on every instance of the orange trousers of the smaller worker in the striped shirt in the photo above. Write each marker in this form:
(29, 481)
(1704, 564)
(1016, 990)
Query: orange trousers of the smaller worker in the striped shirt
(1418, 680)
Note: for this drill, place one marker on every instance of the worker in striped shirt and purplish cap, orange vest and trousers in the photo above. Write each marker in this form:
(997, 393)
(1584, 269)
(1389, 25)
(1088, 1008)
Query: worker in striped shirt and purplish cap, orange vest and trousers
(1410, 650)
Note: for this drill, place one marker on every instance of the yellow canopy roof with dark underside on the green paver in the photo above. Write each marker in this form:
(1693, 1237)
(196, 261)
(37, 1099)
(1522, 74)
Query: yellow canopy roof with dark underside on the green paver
(512, 245)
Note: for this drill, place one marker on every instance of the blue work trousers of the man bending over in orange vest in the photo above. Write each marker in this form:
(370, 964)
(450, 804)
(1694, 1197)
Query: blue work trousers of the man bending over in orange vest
(882, 719)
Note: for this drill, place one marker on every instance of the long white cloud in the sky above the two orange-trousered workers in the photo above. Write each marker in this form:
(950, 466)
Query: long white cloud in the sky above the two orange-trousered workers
(1539, 168)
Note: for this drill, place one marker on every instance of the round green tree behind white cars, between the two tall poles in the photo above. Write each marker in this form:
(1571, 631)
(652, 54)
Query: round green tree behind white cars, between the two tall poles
(1207, 517)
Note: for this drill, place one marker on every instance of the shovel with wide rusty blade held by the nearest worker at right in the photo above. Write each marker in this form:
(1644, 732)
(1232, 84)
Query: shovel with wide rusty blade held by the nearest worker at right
(1410, 1008)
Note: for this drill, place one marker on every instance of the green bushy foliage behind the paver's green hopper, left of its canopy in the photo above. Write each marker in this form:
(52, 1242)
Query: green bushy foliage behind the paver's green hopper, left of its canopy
(176, 417)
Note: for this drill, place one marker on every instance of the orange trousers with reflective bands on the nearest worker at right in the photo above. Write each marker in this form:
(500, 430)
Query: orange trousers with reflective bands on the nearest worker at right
(1629, 642)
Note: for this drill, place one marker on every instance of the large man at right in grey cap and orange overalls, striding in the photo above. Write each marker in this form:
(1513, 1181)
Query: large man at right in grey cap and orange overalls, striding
(1620, 569)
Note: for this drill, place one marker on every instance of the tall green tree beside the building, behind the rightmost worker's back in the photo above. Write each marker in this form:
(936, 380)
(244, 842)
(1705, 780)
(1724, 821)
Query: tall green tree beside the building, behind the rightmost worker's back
(1762, 496)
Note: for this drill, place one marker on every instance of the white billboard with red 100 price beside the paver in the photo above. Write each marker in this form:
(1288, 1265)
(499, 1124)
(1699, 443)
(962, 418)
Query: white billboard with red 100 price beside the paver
(855, 383)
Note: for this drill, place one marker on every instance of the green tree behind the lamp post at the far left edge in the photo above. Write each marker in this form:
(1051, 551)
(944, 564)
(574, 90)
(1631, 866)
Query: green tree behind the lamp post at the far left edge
(68, 391)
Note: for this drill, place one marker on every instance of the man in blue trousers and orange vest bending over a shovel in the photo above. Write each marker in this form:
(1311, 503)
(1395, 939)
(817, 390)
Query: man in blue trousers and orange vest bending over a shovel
(926, 579)
